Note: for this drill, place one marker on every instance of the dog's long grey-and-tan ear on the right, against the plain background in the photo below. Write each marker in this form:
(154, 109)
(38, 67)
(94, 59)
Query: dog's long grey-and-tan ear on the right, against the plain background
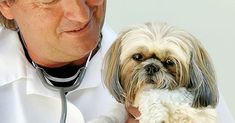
(202, 78)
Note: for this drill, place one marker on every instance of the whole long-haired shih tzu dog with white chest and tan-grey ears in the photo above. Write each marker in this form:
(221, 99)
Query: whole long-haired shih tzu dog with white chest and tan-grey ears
(165, 72)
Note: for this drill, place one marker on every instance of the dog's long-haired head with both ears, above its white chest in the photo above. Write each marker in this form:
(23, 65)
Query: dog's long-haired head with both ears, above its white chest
(155, 55)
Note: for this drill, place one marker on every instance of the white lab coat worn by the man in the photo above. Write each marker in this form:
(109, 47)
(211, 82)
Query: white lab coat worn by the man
(23, 98)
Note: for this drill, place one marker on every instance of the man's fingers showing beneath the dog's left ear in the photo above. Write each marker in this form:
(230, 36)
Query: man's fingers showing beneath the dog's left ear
(133, 113)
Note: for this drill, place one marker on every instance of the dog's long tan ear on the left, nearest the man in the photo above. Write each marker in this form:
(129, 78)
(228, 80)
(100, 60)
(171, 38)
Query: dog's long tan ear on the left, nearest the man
(111, 71)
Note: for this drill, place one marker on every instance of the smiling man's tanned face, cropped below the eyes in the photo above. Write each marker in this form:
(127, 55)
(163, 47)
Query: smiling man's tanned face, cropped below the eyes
(57, 32)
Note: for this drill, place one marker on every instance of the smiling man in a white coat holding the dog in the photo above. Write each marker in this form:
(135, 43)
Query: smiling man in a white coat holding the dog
(55, 36)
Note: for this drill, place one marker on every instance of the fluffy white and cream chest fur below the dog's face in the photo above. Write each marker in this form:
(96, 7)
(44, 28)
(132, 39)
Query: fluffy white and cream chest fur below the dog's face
(171, 106)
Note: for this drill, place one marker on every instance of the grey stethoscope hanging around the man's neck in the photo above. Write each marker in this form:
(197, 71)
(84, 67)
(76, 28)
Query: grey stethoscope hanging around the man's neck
(62, 90)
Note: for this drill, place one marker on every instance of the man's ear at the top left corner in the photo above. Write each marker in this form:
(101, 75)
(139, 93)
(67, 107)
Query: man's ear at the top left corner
(5, 8)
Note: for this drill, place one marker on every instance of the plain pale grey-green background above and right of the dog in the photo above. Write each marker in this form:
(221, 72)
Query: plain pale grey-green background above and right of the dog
(211, 21)
